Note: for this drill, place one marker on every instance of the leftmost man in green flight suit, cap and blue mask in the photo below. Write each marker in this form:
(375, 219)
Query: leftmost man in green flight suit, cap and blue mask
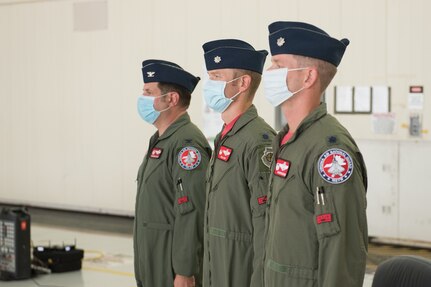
(169, 211)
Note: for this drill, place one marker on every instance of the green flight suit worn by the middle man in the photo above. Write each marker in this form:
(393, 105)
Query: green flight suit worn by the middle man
(237, 180)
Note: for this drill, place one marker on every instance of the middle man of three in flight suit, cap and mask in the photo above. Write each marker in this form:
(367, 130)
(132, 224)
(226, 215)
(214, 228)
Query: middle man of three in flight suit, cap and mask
(238, 173)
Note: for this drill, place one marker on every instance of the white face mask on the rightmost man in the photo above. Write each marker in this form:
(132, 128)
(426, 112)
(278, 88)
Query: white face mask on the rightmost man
(275, 85)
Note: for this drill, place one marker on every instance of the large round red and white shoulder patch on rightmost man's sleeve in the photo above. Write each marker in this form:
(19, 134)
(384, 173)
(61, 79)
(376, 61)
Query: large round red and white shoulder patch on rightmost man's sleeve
(335, 166)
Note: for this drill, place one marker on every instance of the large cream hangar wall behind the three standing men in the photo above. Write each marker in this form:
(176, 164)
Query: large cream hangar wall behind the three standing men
(69, 133)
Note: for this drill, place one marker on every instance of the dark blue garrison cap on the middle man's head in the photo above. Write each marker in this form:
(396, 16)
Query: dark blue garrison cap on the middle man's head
(233, 54)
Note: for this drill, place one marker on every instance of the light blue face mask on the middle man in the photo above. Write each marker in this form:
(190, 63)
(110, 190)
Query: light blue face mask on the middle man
(214, 95)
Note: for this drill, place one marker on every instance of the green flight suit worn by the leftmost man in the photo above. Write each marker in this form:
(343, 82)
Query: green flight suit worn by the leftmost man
(168, 230)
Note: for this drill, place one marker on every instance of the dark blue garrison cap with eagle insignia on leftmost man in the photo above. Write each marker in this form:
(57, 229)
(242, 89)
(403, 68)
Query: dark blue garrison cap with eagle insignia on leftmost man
(168, 72)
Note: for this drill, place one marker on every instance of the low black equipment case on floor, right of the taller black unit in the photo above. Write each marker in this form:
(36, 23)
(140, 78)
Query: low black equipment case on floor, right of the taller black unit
(60, 259)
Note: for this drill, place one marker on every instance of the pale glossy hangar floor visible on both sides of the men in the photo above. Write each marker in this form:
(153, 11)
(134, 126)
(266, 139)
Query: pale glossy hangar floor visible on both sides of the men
(107, 242)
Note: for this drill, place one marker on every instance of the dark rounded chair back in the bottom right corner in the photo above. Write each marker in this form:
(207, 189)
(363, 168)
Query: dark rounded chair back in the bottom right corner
(403, 271)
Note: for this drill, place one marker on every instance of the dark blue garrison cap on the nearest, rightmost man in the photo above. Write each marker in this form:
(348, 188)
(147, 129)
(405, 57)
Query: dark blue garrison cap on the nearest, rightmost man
(303, 39)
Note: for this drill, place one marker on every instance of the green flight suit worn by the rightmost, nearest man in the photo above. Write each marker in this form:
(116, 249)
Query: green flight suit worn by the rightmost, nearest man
(316, 237)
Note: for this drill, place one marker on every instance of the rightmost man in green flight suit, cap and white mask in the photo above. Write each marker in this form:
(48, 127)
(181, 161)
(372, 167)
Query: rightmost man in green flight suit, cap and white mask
(316, 226)
